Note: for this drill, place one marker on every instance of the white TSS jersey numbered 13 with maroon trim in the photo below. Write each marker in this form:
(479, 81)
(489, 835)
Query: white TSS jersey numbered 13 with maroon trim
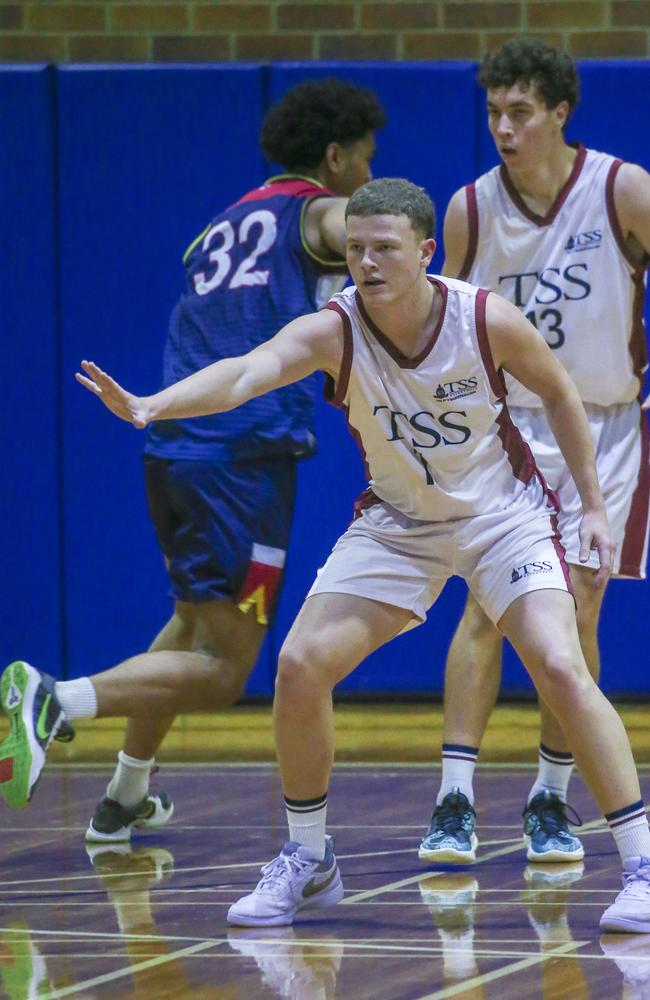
(568, 272)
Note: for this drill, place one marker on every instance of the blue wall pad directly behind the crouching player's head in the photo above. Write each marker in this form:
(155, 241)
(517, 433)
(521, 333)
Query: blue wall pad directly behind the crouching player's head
(428, 141)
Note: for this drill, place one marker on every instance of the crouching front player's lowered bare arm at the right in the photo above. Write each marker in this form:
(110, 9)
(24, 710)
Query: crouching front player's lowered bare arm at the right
(520, 350)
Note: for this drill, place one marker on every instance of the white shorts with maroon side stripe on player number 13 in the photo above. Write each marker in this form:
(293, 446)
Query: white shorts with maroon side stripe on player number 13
(620, 438)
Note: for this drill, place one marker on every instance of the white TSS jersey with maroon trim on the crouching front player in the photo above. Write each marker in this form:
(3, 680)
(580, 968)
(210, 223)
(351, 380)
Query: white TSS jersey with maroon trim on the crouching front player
(439, 444)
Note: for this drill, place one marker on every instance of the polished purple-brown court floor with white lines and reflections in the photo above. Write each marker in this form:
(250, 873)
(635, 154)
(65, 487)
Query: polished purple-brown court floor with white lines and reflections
(148, 920)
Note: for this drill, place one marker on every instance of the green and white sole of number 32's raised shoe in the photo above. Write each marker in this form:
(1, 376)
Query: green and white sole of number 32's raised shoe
(20, 748)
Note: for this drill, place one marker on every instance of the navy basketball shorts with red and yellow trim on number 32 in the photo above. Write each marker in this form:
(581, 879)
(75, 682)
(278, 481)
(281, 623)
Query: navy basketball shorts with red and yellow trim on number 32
(223, 527)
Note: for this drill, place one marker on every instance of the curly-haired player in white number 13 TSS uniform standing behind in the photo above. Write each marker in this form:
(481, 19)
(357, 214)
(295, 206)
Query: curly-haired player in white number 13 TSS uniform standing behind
(563, 232)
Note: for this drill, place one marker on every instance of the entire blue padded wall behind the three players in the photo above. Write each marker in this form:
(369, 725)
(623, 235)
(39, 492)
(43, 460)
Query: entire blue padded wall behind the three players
(97, 202)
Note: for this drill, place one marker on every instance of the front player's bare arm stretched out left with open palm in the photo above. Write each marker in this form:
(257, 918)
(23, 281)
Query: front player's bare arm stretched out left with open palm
(303, 346)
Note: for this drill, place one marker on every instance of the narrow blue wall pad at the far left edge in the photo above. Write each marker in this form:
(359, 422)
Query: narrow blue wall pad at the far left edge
(29, 498)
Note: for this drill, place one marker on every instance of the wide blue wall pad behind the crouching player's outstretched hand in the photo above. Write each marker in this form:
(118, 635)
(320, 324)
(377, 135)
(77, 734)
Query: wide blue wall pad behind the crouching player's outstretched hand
(148, 155)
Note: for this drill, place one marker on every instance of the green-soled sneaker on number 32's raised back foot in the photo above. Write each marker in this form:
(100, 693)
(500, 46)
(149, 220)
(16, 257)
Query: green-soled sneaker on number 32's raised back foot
(28, 698)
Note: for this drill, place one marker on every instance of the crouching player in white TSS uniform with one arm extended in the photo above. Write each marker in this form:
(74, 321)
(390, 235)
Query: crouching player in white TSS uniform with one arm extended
(417, 363)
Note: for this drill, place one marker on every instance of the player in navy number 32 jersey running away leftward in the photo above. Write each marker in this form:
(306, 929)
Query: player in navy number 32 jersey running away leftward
(220, 489)
